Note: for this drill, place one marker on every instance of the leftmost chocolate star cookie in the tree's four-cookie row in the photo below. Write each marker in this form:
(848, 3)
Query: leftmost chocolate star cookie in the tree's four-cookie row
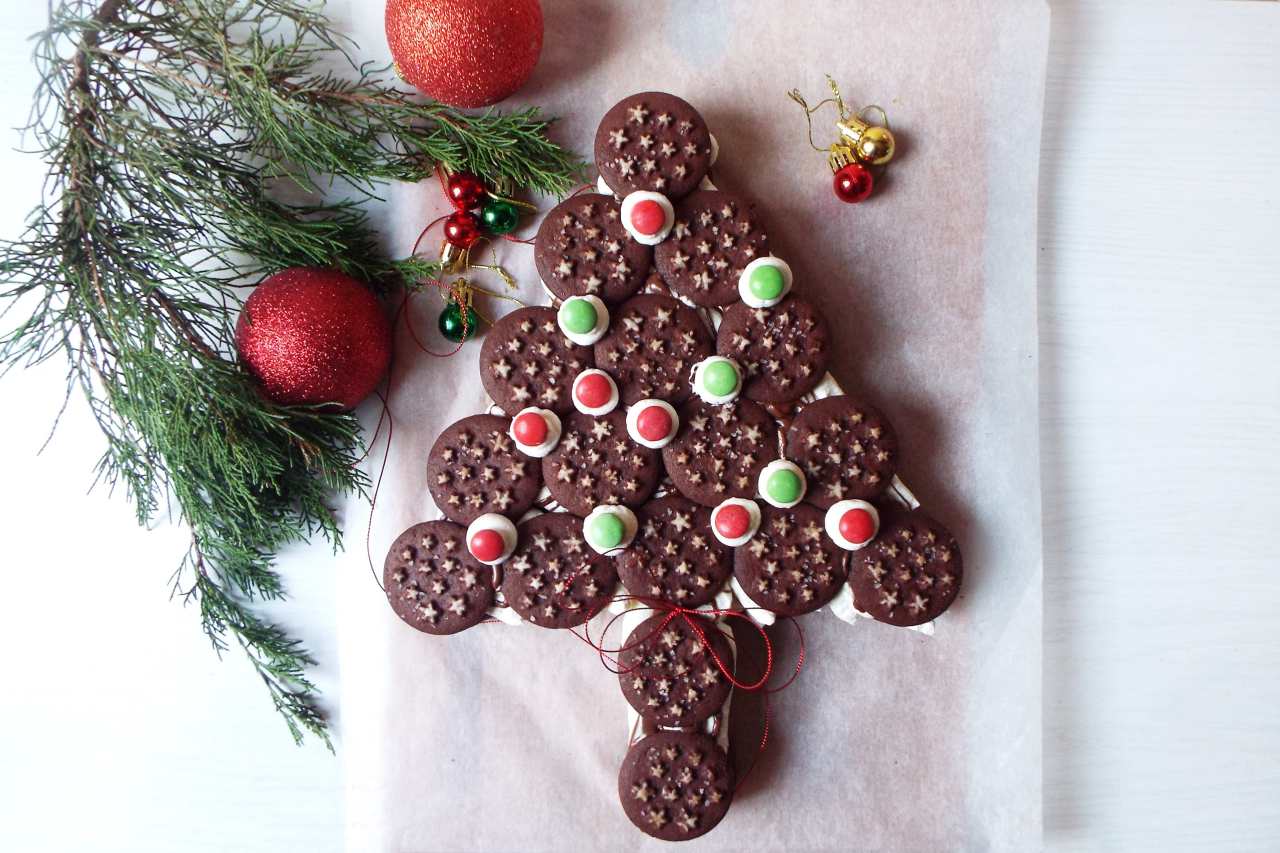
(474, 468)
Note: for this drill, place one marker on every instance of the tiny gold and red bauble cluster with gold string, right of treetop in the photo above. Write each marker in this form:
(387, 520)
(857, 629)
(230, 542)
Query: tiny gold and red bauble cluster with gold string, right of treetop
(862, 145)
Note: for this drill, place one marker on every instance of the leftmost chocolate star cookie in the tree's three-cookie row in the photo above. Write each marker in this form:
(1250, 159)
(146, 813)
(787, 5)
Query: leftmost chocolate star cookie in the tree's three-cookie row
(528, 362)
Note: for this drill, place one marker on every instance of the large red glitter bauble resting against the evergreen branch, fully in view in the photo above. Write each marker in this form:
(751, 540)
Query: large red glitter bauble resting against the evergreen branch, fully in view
(314, 336)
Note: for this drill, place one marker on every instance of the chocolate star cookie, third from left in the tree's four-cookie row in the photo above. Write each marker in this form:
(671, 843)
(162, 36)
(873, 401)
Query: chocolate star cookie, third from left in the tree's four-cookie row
(720, 450)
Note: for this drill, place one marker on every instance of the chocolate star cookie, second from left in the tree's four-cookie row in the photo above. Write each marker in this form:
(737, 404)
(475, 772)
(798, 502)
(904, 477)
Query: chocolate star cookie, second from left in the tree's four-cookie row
(597, 463)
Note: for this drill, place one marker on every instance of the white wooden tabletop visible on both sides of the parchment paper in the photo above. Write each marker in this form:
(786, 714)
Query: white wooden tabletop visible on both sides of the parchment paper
(1160, 291)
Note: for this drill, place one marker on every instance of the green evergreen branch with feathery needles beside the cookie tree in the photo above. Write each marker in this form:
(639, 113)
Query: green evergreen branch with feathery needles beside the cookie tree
(173, 131)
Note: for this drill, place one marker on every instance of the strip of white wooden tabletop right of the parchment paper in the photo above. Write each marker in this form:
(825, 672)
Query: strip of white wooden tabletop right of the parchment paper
(1160, 407)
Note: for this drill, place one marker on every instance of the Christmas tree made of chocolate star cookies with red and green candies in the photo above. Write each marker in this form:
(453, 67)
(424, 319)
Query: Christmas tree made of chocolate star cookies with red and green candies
(666, 444)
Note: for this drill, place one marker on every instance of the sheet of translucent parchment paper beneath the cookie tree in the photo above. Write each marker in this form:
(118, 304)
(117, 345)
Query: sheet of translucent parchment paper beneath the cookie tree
(511, 738)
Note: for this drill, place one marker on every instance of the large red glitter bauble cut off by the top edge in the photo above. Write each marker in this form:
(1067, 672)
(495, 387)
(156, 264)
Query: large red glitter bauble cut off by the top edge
(465, 53)
